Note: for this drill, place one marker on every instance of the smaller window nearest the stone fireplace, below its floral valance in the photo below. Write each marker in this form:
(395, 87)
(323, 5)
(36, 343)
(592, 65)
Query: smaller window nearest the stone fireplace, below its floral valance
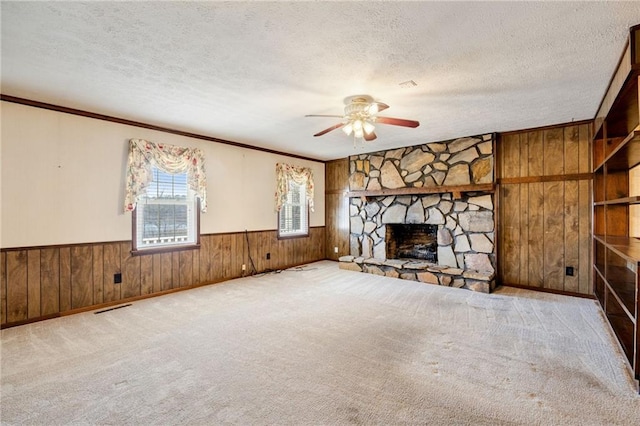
(293, 217)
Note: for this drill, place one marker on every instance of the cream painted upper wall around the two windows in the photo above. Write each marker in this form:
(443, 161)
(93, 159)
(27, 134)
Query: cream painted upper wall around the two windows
(63, 180)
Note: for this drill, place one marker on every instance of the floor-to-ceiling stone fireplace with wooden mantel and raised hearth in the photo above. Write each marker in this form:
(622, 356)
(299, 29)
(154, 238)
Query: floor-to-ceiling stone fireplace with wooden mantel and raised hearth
(447, 186)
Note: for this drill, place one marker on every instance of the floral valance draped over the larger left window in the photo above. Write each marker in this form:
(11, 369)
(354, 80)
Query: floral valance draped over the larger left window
(143, 155)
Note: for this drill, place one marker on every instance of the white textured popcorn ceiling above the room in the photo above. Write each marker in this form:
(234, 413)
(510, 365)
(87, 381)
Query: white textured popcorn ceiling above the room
(249, 71)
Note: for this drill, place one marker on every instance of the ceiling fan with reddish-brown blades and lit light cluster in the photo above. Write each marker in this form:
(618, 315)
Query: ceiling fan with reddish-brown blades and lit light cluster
(360, 115)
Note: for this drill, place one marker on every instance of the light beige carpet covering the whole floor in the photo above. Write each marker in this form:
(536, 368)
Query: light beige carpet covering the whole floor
(322, 346)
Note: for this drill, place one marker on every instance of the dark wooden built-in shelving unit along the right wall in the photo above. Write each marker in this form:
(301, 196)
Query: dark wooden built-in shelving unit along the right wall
(616, 253)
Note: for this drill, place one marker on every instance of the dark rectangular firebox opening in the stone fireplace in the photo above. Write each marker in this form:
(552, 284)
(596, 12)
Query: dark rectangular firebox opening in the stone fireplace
(412, 241)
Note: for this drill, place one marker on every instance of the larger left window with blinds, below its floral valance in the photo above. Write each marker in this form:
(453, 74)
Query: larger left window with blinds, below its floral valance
(166, 215)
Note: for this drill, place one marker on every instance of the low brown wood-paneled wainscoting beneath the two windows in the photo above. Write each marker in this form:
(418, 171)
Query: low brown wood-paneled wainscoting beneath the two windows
(43, 282)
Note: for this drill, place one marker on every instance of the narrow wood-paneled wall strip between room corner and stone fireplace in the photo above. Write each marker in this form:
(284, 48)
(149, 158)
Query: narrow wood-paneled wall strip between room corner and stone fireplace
(337, 208)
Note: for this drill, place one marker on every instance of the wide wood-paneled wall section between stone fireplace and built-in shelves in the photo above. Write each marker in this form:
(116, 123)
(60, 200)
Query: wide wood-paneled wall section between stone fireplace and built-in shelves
(545, 208)
